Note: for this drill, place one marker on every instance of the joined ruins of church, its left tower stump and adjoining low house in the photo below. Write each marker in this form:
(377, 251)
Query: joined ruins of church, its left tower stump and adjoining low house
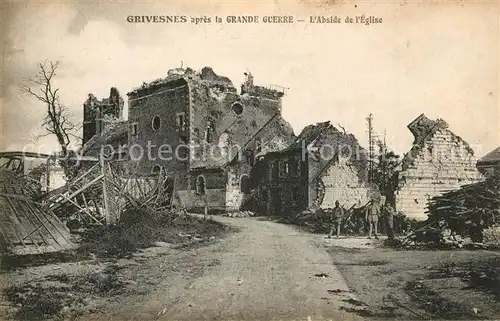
(213, 141)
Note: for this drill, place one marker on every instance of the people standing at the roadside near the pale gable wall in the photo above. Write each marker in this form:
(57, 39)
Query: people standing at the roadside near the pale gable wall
(373, 213)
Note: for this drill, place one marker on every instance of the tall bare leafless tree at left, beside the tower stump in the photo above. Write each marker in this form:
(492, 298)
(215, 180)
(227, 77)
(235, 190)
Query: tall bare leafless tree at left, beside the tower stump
(57, 120)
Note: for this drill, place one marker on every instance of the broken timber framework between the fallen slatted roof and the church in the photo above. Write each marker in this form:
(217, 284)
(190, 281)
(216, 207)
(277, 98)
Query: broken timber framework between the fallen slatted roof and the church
(101, 193)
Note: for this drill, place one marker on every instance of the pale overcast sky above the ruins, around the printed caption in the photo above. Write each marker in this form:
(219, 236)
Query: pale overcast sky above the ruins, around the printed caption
(441, 60)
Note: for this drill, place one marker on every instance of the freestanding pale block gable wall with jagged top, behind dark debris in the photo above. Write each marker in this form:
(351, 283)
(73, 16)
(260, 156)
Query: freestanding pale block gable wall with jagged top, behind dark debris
(439, 161)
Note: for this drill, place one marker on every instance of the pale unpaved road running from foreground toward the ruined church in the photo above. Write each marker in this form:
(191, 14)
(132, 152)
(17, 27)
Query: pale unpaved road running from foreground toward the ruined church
(265, 272)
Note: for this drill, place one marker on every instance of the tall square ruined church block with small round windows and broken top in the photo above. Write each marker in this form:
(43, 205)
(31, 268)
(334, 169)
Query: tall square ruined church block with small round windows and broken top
(204, 135)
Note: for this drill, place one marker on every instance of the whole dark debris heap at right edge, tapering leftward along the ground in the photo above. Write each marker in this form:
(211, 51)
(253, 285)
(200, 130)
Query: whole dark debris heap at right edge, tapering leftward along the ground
(465, 218)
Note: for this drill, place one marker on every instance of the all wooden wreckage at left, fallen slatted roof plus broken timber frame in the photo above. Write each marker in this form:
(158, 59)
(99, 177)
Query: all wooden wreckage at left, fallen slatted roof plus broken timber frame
(33, 221)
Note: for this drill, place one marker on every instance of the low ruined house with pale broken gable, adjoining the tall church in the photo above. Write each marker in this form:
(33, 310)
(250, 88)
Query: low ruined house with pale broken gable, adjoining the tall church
(321, 166)
